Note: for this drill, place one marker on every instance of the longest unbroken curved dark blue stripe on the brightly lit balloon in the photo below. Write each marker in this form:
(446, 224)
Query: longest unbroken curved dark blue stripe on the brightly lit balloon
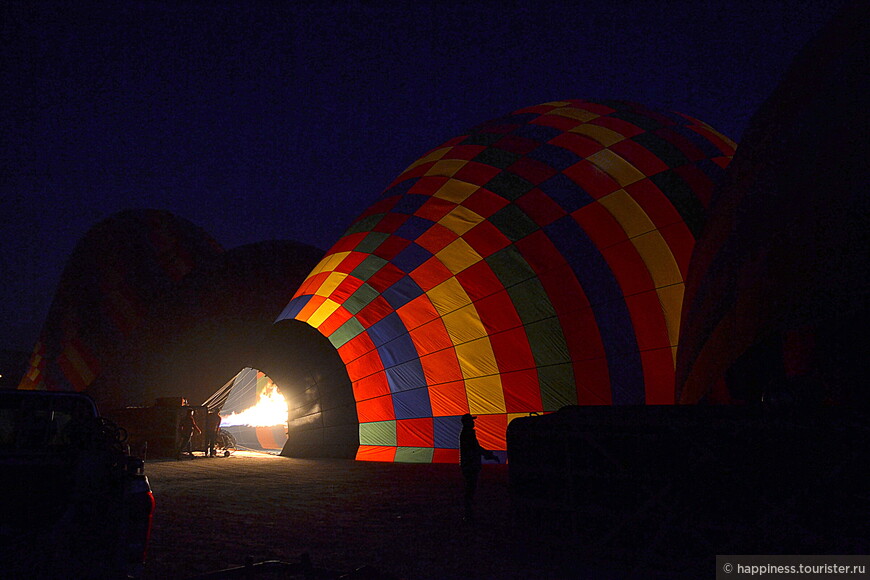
(608, 306)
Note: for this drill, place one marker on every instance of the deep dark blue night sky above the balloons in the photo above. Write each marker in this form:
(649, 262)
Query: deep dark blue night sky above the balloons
(262, 120)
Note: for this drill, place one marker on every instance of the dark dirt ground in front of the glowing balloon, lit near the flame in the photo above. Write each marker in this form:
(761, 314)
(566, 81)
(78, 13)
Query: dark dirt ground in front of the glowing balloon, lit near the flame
(404, 520)
